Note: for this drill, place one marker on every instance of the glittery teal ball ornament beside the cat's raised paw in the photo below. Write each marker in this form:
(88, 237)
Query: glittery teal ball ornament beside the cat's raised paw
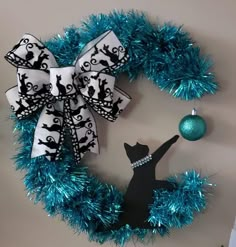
(192, 127)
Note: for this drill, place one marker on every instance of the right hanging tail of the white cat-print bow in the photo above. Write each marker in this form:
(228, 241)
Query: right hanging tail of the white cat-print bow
(82, 127)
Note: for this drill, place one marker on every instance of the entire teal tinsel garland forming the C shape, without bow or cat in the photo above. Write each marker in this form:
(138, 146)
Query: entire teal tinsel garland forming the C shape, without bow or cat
(166, 56)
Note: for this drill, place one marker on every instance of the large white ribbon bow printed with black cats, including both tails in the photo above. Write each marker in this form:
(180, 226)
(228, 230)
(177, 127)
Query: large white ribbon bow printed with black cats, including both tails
(67, 95)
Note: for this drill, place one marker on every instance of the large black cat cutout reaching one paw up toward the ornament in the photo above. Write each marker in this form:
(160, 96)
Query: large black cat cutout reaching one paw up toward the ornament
(139, 195)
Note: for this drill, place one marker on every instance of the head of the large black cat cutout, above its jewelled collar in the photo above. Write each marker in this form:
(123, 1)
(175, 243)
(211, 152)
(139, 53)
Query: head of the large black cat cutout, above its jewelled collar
(136, 152)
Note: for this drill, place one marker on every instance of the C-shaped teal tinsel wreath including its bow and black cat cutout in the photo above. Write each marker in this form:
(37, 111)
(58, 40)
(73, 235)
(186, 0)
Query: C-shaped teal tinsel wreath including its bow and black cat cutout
(62, 80)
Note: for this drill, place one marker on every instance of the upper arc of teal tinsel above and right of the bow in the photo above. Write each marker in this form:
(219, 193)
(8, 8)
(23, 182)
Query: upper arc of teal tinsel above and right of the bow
(164, 54)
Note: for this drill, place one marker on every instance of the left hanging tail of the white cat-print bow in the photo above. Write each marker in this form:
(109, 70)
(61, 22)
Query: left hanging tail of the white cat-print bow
(49, 135)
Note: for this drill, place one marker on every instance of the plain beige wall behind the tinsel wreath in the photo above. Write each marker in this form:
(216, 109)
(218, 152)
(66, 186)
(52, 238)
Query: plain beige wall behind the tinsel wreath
(152, 117)
